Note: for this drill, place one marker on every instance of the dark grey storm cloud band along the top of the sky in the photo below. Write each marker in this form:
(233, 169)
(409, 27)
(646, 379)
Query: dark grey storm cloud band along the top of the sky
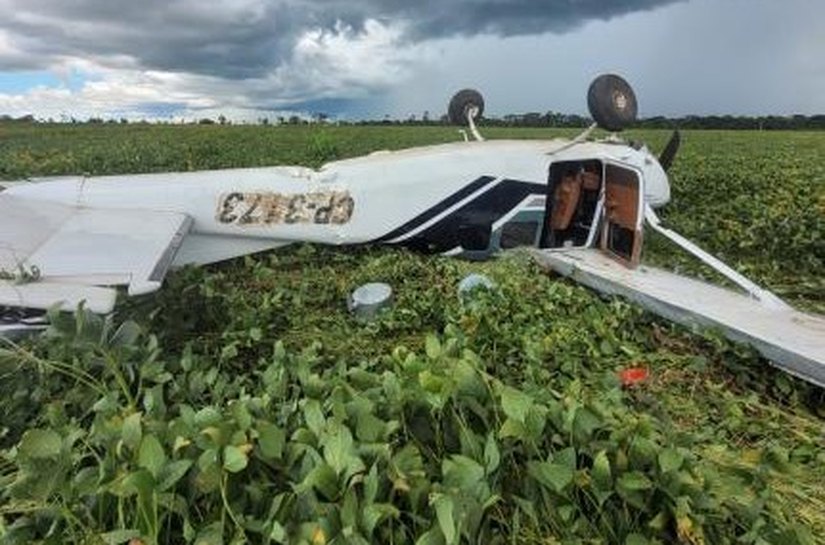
(247, 38)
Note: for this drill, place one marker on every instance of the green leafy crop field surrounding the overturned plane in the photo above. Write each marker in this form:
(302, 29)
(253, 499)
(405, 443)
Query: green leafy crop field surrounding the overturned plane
(243, 404)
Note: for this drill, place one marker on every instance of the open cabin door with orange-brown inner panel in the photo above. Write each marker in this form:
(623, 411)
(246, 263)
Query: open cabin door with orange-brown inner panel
(621, 234)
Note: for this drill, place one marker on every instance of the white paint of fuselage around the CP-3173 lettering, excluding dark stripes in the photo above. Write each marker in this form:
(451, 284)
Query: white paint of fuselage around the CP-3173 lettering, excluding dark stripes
(387, 188)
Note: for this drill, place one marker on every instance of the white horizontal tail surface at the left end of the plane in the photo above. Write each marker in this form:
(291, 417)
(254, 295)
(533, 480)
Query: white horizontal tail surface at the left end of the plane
(77, 249)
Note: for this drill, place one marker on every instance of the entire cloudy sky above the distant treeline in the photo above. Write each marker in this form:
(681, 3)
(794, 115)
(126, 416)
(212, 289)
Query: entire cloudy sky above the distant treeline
(368, 58)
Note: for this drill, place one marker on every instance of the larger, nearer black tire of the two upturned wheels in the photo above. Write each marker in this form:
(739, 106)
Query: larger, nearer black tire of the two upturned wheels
(612, 102)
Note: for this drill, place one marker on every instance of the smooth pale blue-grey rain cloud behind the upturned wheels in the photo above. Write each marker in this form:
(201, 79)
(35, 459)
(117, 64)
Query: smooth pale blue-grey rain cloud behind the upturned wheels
(739, 57)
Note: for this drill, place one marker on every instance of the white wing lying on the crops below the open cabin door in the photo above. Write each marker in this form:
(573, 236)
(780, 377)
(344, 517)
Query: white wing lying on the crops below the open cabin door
(793, 340)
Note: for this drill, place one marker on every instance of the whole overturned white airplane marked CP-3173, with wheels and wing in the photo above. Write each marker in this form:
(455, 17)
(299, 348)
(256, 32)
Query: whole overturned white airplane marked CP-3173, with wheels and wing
(581, 204)
